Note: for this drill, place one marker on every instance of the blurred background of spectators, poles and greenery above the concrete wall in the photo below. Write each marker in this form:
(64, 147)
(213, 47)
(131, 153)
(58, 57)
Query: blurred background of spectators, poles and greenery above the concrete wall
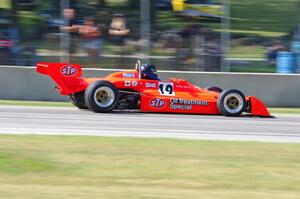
(189, 35)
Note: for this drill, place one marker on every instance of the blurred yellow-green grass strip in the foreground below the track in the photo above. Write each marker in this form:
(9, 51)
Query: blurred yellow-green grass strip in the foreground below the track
(93, 167)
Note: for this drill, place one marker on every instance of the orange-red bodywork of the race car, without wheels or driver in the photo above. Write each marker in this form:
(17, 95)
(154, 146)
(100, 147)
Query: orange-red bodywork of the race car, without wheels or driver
(170, 96)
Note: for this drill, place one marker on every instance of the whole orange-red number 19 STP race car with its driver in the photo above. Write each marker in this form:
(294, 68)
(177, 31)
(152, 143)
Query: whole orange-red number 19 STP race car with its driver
(142, 90)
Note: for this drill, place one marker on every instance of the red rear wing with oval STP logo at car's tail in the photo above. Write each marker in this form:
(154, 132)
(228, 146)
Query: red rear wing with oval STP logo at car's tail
(66, 76)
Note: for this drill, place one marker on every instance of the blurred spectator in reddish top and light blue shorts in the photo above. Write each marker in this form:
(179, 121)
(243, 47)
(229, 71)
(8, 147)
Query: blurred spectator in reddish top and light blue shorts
(91, 39)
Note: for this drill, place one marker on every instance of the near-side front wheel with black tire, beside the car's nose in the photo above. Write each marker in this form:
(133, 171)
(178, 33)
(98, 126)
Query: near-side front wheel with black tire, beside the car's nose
(231, 102)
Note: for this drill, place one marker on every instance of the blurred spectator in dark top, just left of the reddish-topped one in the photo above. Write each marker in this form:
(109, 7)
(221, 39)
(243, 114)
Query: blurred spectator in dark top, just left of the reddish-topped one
(71, 26)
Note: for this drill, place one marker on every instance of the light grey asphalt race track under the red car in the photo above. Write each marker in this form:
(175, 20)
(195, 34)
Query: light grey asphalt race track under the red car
(71, 121)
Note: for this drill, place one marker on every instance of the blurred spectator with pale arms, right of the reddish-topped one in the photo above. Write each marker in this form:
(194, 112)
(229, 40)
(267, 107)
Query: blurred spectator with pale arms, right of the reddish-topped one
(118, 30)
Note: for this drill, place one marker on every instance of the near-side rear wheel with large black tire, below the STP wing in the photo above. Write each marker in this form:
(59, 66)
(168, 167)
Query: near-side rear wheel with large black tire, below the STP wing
(101, 96)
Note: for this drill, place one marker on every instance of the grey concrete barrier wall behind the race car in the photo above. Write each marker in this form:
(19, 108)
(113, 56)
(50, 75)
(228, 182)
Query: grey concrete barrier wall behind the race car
(23, 83)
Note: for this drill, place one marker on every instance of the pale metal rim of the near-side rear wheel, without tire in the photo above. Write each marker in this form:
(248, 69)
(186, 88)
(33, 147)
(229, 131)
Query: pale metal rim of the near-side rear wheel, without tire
(104, 97)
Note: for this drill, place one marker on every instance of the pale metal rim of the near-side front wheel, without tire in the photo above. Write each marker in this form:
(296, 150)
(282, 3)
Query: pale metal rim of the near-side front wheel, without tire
(233, 103)
